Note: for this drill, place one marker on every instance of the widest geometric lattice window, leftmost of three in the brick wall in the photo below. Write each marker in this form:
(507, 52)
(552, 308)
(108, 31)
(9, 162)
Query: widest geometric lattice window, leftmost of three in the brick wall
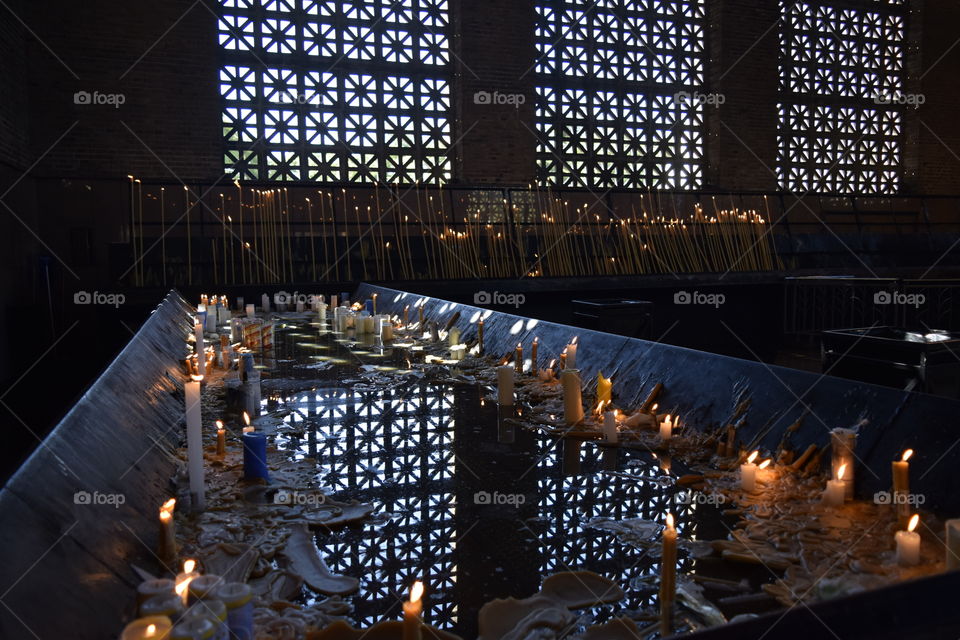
(335, 91)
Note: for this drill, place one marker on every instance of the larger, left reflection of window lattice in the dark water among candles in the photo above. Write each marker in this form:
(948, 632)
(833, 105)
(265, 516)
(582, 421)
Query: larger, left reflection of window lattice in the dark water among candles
(394, 450)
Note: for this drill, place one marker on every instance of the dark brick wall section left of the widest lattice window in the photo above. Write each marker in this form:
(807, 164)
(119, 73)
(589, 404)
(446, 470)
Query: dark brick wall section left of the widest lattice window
(160, 56)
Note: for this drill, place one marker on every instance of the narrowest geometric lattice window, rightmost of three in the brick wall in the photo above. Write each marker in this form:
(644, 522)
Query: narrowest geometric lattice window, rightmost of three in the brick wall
(841, 82)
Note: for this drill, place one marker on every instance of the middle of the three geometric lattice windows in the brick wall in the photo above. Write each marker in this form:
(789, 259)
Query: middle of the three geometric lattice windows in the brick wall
(619, 101)
